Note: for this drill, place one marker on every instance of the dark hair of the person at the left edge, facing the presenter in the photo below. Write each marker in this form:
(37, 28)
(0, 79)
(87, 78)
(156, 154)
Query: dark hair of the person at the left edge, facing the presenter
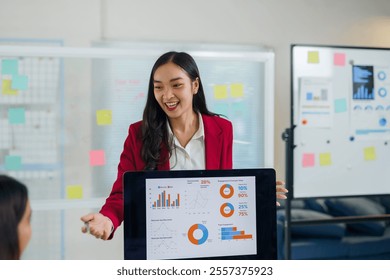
(13, 201)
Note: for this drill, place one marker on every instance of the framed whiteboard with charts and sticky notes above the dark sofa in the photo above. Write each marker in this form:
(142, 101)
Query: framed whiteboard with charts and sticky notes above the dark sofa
(340, 121)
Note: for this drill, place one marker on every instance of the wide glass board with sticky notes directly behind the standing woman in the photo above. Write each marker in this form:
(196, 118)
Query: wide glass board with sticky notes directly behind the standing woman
(64, 116)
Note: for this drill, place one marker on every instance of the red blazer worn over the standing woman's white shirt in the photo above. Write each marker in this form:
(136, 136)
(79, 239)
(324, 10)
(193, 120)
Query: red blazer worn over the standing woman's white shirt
(218, 149)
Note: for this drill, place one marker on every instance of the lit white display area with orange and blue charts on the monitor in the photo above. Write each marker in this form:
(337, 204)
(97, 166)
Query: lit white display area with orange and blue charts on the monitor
(200, 217)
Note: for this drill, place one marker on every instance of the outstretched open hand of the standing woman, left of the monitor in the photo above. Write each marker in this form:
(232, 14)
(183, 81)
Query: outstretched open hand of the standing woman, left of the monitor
(98, 225)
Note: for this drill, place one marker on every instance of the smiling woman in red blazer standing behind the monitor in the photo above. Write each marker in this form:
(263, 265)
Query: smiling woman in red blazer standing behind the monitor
(177, 132)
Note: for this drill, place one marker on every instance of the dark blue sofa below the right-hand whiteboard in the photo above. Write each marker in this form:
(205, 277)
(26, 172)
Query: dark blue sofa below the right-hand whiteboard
(362, 240)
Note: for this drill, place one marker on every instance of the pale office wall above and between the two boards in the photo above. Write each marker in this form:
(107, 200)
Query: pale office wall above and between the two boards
(276, 24)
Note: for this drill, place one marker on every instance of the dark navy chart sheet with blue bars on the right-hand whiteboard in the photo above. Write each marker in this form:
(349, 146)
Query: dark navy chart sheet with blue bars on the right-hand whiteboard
(363, 82)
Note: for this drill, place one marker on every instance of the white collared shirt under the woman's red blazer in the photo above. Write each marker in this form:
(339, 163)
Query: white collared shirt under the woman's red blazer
(191, 157)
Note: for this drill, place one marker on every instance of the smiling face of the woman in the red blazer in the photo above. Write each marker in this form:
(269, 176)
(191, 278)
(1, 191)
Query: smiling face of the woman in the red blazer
(174, 90)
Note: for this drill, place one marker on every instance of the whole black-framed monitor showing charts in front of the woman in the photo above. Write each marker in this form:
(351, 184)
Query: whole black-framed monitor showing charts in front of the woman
(200, 214)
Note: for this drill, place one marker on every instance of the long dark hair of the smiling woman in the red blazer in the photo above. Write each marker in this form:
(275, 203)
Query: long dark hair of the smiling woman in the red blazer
(154, 128)
